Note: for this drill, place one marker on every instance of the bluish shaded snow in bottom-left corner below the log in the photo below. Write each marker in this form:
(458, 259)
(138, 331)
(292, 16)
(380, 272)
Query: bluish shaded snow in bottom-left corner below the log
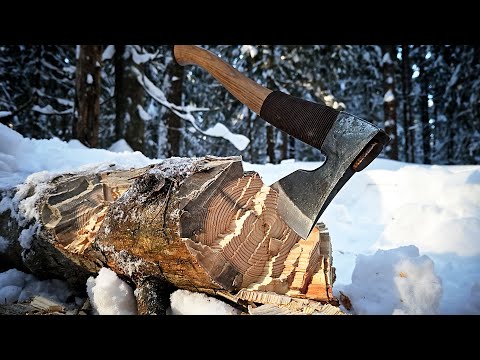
(18, 286)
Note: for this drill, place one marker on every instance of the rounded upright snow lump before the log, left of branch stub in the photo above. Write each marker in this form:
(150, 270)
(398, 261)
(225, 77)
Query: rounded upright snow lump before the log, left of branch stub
(109, 295)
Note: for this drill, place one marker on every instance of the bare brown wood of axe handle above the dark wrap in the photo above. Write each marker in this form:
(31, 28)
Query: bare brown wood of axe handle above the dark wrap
(247, 91)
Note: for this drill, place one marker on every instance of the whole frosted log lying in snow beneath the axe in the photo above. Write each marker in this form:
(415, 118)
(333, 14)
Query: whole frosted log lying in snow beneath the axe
(199, 224)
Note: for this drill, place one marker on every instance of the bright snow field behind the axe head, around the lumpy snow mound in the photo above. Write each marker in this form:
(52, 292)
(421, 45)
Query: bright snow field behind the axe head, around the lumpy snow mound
(392, 204)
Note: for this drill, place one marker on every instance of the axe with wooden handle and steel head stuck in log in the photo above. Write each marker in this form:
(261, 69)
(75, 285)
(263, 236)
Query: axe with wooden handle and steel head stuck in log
(349, 142)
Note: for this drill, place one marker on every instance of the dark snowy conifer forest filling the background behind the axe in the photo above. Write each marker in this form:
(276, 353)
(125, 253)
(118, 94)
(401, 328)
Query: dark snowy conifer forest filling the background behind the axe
(426, 97)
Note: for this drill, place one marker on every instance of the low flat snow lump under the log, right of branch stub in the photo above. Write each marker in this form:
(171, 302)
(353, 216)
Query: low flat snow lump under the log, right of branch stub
(184, 302)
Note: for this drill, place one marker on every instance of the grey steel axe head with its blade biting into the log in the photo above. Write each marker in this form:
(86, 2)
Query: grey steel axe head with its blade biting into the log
(350, 146)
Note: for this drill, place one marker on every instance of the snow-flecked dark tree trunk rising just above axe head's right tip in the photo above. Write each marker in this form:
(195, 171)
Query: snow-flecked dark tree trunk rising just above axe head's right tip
(390, 103)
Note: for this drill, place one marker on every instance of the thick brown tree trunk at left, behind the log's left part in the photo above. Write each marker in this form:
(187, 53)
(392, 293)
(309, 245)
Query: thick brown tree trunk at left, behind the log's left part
(88, 79)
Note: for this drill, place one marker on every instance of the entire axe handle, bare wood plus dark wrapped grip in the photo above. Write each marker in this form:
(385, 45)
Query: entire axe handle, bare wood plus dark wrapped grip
(307, 121)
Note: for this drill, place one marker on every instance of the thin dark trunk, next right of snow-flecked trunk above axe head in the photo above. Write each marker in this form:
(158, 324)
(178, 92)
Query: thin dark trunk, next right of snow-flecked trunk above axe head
(409, 131)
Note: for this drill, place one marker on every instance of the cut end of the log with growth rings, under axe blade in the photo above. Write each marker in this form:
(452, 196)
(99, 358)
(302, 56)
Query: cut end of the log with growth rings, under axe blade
(242, 242)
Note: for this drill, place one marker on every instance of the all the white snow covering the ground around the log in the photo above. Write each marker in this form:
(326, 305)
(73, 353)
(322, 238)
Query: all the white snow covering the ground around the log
(406, 238)
